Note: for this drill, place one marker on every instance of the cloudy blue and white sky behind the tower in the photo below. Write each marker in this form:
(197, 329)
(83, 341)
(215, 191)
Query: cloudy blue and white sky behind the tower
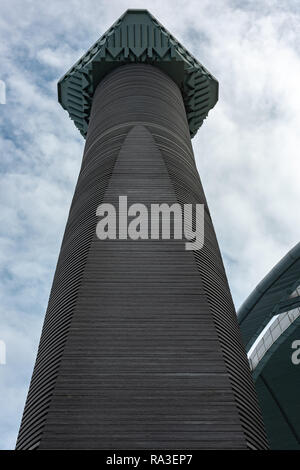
(247, 151)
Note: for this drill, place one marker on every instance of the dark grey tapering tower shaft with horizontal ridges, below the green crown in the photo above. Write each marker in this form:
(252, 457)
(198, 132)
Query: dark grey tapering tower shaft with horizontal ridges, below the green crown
(140, 347)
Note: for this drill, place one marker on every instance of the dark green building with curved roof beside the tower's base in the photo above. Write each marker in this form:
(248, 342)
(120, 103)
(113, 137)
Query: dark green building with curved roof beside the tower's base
(270, 323)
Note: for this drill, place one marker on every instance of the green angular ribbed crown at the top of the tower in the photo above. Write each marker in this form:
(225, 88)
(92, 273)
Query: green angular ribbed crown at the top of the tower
(137, 37)
